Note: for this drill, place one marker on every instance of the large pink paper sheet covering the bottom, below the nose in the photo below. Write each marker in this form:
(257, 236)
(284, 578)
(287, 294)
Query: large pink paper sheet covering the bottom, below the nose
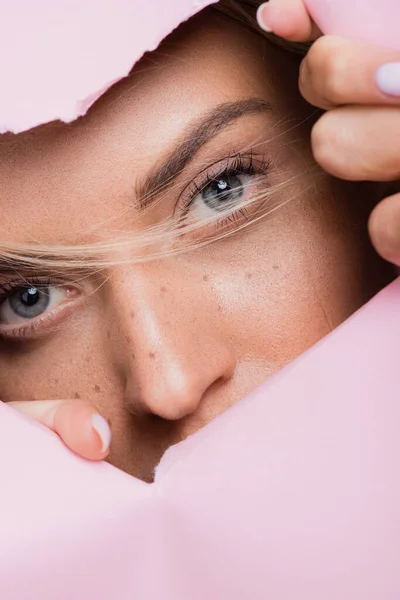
(294, 493)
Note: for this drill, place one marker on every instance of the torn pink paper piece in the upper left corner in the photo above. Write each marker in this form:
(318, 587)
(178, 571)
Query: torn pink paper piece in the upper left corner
(59, 56)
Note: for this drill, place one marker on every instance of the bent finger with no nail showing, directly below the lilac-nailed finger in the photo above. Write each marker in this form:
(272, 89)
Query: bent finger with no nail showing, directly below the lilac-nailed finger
(359, 143)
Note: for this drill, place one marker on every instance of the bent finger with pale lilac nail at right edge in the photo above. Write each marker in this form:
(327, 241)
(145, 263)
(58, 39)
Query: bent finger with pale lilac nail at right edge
(337, 71)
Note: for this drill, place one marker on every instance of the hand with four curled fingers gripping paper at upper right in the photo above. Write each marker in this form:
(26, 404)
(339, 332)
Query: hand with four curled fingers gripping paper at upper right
(359, 87)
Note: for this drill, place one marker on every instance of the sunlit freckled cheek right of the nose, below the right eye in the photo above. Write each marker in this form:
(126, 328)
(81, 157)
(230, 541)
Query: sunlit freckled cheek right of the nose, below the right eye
(290, 281)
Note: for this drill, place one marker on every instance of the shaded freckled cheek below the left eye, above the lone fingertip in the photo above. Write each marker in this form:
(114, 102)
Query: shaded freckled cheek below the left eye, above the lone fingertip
(72, 363)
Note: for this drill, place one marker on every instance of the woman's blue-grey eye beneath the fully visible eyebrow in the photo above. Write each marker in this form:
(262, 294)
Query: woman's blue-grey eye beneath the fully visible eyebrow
(222, 196)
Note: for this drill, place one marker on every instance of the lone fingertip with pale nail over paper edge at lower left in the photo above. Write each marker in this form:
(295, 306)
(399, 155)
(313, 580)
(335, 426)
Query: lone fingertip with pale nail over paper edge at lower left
(77, 423)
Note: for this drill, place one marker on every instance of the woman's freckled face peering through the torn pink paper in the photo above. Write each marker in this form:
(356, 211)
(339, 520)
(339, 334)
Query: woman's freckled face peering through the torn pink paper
(163, 347)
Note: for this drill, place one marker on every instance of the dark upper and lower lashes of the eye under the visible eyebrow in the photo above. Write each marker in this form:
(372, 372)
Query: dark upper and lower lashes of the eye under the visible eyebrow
(237, 164)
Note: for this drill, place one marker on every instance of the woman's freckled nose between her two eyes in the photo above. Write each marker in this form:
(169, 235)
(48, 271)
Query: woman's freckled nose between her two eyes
(175, 349)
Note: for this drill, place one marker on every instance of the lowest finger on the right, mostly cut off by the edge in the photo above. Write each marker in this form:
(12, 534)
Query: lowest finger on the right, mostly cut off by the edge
(384, 228)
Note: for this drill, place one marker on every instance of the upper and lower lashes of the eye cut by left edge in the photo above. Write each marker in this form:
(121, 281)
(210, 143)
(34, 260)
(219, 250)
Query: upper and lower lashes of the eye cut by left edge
(34, 326)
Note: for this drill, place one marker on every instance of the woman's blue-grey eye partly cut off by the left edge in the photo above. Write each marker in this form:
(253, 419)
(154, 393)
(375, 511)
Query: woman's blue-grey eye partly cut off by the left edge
(29, 308)
